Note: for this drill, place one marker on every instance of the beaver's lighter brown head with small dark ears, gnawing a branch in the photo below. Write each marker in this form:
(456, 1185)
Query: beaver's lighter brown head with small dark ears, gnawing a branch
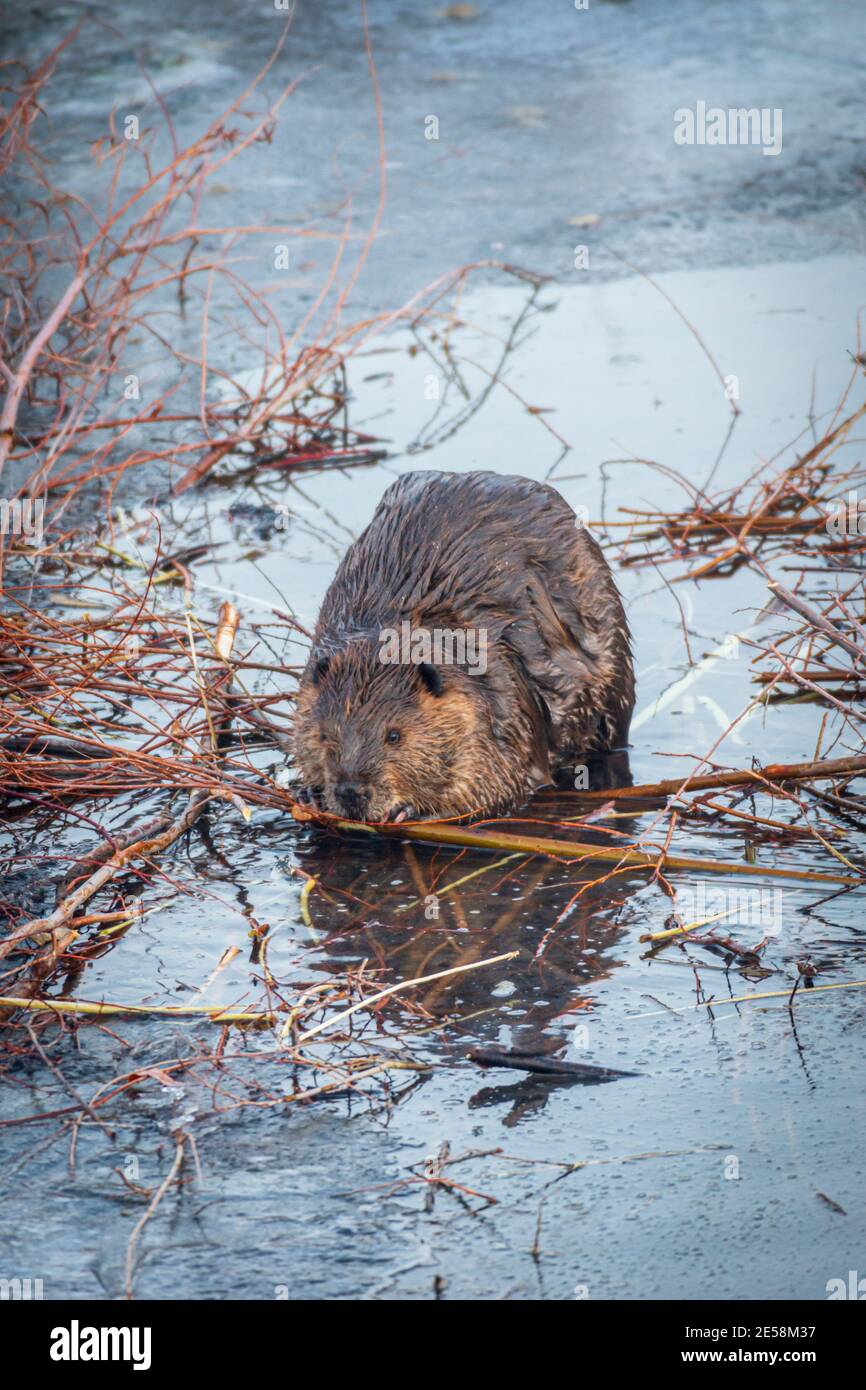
(395, 742)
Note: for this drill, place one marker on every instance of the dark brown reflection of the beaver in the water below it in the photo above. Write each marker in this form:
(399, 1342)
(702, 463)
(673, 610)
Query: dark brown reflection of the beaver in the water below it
(415, 910)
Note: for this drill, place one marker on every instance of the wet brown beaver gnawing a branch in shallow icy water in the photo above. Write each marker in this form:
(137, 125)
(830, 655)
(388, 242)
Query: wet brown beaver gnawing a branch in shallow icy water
(472, 647)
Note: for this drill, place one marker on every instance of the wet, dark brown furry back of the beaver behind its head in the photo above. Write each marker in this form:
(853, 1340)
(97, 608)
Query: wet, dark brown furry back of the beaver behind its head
(503, 554)
